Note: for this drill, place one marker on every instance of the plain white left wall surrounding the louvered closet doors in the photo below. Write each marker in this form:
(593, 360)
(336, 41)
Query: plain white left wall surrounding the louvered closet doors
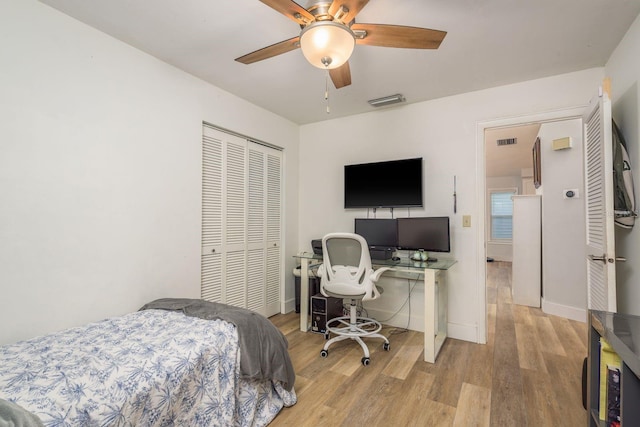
(100, 172)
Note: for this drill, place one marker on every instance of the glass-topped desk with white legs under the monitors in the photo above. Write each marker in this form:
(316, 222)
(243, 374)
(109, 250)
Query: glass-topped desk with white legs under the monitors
(435, 296)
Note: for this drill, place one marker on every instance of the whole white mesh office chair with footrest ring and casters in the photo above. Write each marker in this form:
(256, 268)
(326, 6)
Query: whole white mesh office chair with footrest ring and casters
(346, 273)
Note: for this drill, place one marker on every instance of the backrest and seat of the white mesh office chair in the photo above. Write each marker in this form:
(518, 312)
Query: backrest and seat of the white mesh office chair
(346, 269)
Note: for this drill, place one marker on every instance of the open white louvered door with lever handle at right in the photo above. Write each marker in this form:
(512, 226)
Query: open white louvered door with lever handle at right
(601, 267)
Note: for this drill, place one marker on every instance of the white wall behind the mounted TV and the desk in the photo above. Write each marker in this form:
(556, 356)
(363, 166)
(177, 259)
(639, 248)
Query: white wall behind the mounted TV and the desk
(443, 132)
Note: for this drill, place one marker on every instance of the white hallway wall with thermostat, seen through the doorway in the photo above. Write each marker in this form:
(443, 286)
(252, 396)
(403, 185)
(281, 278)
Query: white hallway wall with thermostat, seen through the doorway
(564, 274)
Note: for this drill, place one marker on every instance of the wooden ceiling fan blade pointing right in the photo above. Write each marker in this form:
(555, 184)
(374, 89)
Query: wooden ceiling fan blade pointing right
(399, 36)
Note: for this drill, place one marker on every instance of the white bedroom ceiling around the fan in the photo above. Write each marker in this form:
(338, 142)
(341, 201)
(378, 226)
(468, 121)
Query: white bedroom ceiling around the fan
(489, 43)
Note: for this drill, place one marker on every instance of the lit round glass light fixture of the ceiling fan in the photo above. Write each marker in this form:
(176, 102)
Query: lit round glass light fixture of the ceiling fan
(327, 44)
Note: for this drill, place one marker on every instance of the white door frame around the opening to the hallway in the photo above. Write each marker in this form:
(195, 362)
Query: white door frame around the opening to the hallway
(481, 262)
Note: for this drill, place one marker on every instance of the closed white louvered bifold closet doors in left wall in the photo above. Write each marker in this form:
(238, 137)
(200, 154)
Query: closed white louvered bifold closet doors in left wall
(241, 259)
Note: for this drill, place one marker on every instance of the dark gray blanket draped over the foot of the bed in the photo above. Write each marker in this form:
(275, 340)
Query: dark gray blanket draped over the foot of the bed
(263, 348)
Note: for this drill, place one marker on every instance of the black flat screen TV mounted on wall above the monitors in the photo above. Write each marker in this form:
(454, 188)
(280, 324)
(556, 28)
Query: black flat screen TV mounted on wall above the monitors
(391, 184)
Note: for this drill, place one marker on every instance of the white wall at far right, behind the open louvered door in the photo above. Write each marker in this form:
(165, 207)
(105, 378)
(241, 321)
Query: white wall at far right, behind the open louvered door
(624, 70)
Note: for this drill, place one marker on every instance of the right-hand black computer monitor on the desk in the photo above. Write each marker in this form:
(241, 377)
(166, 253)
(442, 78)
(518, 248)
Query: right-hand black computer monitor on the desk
(428, 233)
